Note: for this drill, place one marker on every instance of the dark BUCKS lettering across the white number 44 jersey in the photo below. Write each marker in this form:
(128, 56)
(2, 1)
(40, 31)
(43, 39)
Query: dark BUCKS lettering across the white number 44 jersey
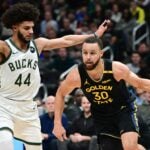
(24, 63)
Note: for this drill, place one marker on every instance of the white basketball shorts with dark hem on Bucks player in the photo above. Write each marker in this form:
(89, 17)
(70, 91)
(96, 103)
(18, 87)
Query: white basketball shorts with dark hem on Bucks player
(22, 119)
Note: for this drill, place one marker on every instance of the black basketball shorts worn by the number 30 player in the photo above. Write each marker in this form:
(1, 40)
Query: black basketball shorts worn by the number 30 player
(117, 124)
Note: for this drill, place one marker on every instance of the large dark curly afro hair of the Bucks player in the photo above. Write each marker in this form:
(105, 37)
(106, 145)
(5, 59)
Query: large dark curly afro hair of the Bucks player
(18, 13)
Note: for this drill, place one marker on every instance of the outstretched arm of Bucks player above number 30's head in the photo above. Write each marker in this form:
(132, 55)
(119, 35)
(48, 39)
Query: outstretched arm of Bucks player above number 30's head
(69, 40)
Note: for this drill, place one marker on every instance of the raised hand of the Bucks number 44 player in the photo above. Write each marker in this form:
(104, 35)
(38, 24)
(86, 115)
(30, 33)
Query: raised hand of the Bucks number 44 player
(103, 27)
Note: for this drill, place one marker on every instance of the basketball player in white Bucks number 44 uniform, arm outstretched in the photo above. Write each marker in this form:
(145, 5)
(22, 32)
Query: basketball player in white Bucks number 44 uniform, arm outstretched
(19, 75)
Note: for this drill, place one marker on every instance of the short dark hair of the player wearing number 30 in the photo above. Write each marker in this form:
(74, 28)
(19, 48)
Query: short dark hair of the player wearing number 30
(93, 39)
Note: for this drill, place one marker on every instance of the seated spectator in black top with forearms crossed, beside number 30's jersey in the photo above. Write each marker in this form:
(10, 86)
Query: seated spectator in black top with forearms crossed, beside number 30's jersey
(82, 129)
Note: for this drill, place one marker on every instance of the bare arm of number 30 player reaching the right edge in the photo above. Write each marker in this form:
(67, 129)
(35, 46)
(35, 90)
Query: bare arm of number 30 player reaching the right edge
(121, 71)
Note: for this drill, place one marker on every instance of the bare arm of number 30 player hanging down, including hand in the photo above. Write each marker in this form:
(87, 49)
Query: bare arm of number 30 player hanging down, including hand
(72, 81)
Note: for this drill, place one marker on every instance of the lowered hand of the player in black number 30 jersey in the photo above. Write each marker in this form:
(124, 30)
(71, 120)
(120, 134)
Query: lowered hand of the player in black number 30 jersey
(59, 132)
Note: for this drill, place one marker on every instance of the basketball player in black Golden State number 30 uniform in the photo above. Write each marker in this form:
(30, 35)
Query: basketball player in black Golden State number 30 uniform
(112, 106)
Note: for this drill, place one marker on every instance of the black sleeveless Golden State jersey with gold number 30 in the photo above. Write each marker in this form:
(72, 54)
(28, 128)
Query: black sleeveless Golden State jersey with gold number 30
(107, 95)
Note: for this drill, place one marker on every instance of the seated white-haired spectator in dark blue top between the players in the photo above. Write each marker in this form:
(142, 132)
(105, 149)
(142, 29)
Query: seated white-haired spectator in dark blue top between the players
(47, 123)
